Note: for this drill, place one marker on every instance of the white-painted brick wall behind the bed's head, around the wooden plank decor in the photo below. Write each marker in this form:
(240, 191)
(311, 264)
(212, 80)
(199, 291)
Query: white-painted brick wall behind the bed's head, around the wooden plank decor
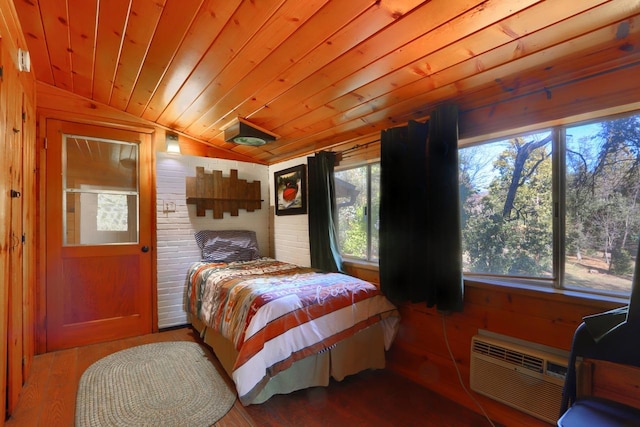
(176, 246)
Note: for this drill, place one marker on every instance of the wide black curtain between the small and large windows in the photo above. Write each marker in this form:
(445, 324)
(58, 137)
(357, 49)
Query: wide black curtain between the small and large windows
(420, 236)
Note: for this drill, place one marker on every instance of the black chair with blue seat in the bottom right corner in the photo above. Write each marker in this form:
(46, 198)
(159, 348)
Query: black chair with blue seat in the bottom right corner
(613, 336)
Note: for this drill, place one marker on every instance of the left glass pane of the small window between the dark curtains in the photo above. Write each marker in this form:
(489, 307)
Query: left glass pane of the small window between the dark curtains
(351, 201)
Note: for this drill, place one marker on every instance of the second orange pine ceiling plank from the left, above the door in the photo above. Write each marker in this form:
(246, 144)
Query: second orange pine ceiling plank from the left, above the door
(55, 21)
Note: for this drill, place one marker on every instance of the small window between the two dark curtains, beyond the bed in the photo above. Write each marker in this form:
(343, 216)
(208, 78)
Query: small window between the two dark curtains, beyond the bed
(358, 201)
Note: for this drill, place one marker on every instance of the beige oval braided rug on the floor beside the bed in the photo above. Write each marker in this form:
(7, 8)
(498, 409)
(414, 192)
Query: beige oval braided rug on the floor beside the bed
(161, 384)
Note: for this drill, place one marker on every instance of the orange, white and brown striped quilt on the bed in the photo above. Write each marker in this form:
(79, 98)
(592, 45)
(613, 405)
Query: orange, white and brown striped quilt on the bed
(276, 313)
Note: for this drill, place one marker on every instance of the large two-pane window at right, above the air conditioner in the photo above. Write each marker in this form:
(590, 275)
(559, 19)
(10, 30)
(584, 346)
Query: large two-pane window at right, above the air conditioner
(559, 206)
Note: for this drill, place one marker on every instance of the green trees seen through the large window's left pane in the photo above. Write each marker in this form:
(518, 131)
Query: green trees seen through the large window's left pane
(521, 243)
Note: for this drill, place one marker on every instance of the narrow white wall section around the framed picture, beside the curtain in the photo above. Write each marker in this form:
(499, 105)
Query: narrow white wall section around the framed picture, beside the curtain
(290, 238)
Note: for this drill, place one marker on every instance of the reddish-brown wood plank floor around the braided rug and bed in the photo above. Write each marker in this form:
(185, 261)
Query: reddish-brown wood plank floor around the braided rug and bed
(372, 398)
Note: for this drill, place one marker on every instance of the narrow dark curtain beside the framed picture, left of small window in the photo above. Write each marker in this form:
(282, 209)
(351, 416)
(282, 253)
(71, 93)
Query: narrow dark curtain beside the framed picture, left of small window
(323, 241)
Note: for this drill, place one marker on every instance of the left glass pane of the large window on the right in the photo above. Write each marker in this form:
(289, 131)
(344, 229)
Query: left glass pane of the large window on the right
(506, 201)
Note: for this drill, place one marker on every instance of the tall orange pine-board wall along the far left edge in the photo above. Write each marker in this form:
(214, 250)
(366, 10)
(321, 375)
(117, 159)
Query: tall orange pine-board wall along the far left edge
(17, 160)
